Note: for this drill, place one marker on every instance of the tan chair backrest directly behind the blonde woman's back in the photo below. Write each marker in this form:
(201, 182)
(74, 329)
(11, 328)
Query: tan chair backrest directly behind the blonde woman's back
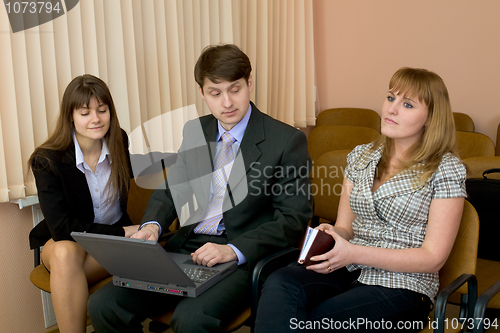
(463, 256)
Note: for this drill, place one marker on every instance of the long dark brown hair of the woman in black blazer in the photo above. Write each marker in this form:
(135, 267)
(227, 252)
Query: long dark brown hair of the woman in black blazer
(78, 93)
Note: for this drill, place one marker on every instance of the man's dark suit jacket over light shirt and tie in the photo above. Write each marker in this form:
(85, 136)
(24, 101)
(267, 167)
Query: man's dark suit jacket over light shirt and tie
(270, 210)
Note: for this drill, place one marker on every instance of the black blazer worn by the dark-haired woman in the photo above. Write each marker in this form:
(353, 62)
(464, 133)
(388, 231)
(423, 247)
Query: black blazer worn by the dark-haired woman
(65, 199)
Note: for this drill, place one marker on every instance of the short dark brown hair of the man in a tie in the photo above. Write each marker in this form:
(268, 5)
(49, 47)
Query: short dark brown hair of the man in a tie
(222, 63)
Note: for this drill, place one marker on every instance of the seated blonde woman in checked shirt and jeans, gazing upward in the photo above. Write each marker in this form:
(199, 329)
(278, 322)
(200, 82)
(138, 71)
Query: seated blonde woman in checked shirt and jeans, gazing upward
(398, 216)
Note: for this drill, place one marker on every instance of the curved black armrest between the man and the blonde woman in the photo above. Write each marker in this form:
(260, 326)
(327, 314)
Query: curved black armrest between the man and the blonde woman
(265, 267)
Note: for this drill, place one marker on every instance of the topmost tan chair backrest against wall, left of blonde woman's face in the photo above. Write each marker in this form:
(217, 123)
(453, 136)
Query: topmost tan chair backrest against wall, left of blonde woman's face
(350, 116)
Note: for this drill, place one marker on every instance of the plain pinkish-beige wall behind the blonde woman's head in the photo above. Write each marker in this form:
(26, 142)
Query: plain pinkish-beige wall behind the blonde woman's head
(359, 44)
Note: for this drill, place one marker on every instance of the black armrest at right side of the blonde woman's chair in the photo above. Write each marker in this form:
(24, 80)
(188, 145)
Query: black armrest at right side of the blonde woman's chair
(445, 294)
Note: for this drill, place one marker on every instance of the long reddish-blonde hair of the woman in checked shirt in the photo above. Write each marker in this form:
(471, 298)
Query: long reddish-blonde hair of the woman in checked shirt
(439, 136)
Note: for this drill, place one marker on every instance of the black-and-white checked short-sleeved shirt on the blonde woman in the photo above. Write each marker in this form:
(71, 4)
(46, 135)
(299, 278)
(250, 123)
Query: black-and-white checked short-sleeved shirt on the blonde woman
(395, 216)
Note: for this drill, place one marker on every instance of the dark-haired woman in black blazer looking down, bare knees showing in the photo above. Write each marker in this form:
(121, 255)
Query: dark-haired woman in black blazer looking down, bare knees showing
(82, 174)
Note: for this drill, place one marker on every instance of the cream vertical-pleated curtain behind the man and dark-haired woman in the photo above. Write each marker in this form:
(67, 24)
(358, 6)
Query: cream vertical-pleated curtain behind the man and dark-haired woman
(145, 51)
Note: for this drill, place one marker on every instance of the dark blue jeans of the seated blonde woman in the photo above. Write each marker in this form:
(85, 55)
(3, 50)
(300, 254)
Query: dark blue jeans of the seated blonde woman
(295, 300)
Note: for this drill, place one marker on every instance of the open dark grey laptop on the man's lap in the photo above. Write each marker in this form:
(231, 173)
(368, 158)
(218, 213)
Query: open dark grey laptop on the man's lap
(145, 265)
